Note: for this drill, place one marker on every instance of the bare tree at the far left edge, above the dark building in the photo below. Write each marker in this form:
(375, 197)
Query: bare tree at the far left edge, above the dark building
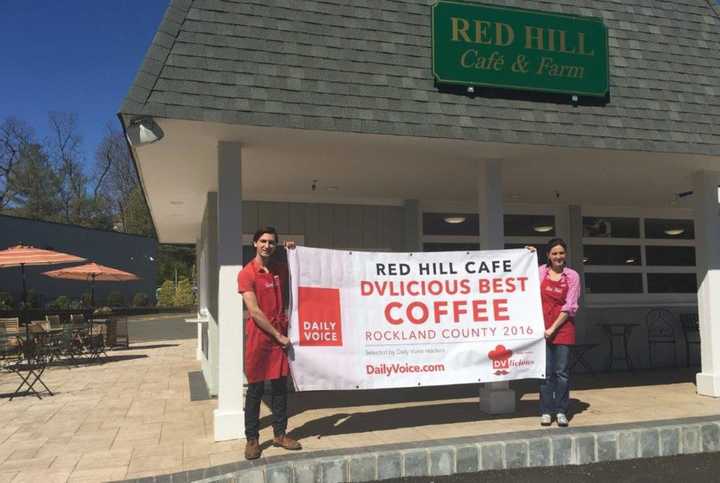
(14, 136)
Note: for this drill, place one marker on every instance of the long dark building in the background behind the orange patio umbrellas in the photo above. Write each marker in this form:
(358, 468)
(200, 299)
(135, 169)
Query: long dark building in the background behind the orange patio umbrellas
(131, 253)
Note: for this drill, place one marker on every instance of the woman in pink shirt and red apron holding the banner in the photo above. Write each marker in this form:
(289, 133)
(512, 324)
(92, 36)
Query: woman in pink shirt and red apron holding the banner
(560, 289)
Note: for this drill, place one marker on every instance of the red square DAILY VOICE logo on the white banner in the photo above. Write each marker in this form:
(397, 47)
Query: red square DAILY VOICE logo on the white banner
(319, 316)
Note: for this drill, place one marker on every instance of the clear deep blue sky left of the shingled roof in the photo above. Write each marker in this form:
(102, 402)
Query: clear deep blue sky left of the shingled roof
(72, 56)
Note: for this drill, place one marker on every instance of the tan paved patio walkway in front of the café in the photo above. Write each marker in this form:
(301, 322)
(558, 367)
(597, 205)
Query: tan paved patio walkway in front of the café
(133, 417)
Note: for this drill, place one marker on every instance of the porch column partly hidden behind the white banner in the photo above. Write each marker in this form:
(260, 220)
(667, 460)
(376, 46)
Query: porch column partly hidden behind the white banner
(495, 397)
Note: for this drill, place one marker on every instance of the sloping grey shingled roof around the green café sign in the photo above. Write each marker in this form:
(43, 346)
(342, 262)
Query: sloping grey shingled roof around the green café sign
(365, 66)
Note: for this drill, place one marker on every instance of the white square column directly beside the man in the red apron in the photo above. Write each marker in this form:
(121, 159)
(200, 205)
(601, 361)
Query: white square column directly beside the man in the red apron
(229, 421)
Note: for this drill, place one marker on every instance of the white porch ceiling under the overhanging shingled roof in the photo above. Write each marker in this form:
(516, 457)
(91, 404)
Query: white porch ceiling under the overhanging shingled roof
(282, 164)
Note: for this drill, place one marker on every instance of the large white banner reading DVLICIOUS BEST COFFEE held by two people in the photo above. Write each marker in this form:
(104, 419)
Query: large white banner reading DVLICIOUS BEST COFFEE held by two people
(362, 320)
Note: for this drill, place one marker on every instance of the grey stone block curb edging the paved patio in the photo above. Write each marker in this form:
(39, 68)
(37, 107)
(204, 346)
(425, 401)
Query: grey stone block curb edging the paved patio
(545, 447)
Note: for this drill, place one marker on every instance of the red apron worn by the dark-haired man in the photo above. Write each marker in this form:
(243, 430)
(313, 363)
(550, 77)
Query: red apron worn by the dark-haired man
(264, 358)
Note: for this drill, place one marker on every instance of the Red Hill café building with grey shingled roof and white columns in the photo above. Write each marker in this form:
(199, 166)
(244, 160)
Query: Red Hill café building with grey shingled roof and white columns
(330, 121)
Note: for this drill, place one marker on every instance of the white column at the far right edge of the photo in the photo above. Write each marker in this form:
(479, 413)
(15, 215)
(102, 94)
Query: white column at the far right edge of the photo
(707, 236)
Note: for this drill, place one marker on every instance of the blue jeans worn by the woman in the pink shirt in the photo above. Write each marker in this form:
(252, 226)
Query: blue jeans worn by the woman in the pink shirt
(555, 389)
